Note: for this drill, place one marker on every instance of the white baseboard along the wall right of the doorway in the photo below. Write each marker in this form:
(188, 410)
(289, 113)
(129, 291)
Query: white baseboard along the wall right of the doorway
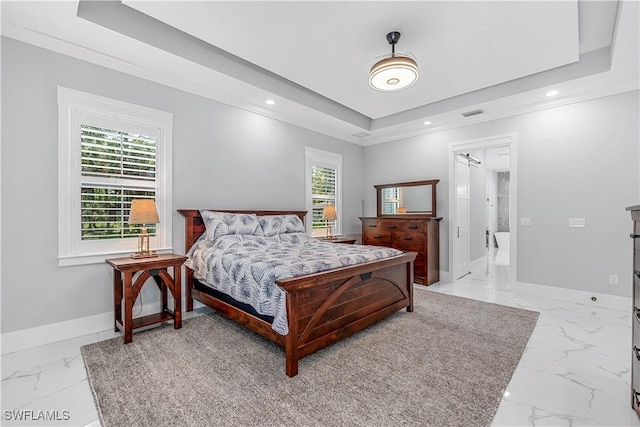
(572, 295)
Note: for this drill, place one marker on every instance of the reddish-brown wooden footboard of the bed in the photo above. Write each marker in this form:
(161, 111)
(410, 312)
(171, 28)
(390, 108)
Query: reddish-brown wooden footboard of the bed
(326, 307)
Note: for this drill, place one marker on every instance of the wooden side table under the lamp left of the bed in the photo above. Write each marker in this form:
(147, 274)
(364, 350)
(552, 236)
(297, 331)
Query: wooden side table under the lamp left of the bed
(126, 291)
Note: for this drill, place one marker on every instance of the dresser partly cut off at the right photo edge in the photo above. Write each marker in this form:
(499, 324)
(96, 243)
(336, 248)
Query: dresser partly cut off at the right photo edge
(635, 349)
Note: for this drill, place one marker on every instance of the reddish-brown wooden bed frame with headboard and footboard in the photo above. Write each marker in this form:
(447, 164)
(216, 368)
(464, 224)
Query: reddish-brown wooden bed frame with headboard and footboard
(322, 308)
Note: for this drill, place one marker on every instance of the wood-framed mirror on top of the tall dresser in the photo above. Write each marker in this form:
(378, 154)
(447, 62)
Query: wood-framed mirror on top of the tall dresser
(407, 198)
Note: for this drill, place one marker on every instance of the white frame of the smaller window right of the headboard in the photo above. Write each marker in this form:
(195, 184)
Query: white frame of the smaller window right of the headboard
(327, 159)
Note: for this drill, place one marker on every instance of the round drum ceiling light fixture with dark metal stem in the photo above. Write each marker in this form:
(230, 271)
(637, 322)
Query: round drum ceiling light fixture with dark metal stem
(395, 72)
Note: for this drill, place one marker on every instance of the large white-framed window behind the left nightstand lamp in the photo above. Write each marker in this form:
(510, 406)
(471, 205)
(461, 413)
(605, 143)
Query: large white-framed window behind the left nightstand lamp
(110, 152)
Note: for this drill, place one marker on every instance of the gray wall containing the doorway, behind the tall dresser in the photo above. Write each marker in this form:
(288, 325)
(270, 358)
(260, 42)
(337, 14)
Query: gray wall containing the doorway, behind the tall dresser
(578, 160)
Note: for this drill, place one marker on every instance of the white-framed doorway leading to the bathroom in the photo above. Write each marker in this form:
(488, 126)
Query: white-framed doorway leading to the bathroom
(470, 230)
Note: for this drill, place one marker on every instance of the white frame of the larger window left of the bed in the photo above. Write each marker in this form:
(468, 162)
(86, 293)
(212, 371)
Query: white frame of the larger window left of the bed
(76, 108)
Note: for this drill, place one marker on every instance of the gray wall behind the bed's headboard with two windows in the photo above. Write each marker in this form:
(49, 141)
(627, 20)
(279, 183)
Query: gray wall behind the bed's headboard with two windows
(223, 157)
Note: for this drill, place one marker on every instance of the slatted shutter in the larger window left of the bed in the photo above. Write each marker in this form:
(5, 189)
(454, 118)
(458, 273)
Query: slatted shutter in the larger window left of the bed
(116, 167)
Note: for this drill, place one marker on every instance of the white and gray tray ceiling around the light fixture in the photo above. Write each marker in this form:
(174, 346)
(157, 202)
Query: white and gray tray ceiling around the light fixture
(313, 58)
